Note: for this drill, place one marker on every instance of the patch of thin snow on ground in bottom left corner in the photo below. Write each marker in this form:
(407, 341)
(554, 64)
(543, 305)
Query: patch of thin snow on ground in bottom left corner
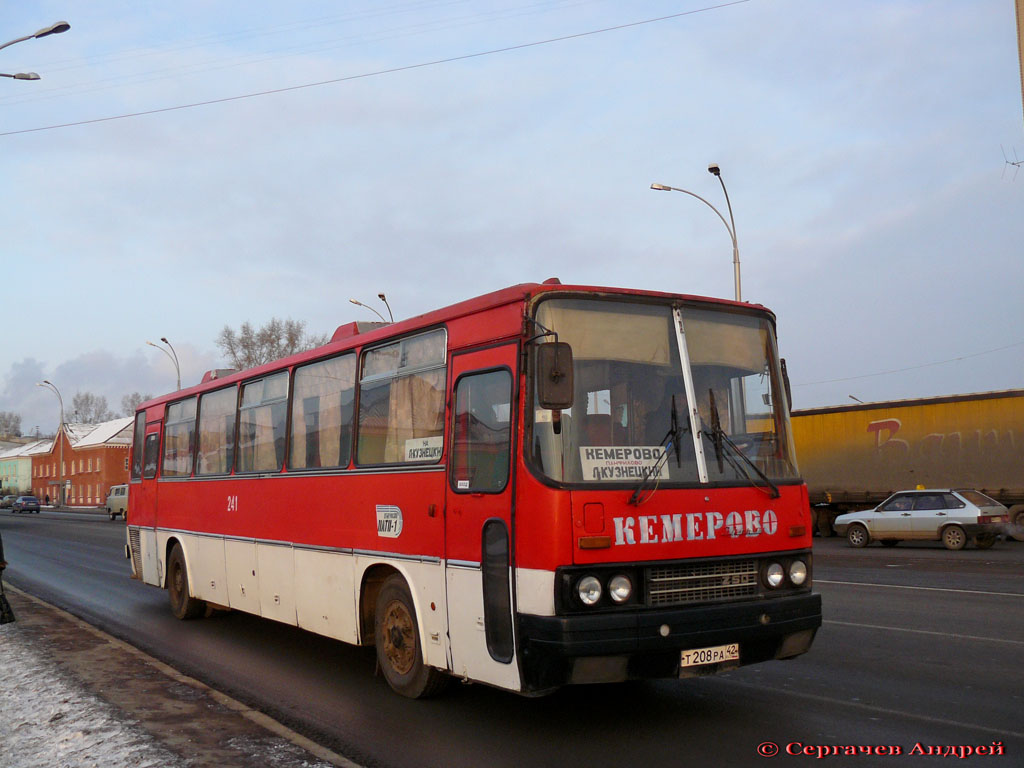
(48, 720)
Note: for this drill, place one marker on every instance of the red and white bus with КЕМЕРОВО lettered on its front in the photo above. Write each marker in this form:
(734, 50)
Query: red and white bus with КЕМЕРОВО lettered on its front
(543, 486)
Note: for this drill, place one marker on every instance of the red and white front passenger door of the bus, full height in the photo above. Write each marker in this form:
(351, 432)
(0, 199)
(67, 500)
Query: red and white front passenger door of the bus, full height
(479, 516)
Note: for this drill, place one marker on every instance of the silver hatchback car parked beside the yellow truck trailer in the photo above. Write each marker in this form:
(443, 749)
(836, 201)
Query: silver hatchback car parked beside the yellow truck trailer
(953, 517)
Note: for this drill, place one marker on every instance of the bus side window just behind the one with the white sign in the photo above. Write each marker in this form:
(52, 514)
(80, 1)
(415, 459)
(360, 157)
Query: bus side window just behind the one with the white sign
(323, 407)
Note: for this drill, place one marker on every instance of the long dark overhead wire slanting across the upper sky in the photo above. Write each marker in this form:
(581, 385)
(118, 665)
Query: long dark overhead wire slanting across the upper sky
(377, 73)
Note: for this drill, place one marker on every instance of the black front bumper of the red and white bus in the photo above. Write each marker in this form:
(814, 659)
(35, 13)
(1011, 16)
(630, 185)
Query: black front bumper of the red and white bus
(644, 645)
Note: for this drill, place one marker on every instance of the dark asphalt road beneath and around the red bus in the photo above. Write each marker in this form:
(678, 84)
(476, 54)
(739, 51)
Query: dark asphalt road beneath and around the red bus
(919, 647)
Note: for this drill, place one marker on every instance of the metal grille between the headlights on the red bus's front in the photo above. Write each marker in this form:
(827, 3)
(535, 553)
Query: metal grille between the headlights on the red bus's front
(681, 584)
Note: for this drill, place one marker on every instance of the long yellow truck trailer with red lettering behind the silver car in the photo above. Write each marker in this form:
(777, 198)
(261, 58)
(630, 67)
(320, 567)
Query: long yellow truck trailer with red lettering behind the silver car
(855, 457)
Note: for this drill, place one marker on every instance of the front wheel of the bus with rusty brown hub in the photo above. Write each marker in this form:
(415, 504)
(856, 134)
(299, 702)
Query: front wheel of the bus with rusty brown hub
(397, 635)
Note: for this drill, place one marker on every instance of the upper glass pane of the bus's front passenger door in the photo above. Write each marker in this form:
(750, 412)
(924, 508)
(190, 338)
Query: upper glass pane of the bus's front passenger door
(482, 436)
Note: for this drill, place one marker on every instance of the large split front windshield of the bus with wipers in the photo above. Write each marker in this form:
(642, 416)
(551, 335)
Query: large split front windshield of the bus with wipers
(639, 401)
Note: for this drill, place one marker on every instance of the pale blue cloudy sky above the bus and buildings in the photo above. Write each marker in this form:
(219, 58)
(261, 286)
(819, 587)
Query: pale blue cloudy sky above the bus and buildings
(444, 149)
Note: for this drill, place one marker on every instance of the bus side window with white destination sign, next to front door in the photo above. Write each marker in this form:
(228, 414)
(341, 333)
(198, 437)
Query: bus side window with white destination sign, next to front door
(402, 402)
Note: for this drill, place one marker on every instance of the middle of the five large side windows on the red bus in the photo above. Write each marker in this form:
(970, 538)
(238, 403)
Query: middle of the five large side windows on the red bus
(263, 424)
